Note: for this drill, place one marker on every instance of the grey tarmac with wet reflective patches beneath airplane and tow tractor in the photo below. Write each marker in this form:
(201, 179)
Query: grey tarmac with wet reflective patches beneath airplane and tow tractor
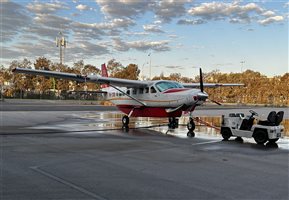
(72, 154)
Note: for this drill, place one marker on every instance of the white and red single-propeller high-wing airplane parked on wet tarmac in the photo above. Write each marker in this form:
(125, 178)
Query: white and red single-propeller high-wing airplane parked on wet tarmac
(159, 98)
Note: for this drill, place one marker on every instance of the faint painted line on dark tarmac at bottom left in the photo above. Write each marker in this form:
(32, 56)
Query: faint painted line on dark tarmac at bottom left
(71, 185)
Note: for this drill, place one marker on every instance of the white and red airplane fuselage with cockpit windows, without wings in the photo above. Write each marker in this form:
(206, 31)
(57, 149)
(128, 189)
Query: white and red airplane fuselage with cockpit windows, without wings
(157, 100)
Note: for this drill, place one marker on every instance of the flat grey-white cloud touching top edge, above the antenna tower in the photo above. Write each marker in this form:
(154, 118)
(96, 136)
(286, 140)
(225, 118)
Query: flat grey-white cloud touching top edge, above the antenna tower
(46, 8)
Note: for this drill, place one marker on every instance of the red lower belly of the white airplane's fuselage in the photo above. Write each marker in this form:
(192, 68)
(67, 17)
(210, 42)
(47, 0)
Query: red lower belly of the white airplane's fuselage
(148, 111)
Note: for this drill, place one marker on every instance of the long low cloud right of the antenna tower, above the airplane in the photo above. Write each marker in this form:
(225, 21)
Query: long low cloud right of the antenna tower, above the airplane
(141, 45)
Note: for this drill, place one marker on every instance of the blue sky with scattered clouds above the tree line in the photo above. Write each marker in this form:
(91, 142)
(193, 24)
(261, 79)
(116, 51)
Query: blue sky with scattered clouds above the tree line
(166, 36)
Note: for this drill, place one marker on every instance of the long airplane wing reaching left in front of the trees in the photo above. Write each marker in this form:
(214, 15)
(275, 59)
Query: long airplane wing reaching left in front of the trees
(81, 78)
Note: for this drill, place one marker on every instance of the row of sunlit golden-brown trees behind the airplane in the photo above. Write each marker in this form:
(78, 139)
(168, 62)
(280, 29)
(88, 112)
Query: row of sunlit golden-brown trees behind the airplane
(258, 89)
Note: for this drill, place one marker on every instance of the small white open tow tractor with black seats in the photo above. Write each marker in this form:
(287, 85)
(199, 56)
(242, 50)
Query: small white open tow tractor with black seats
(236, 124)
